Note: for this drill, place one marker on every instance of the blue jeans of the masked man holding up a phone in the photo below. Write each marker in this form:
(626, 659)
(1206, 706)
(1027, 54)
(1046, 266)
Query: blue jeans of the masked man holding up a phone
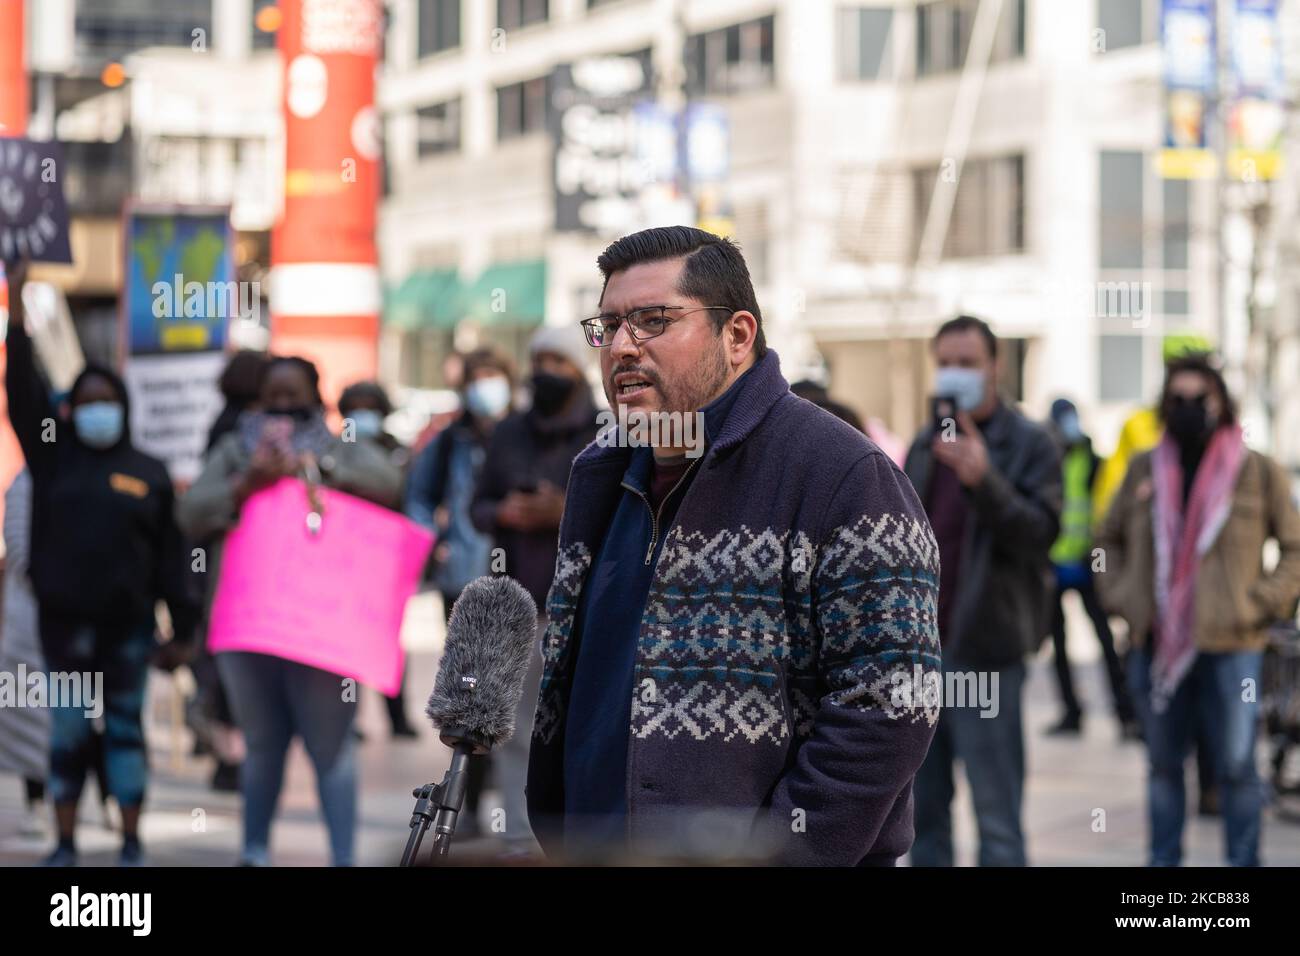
(993, 750)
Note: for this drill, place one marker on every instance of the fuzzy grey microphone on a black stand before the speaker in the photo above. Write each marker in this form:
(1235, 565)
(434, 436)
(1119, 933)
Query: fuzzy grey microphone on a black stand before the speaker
(491, 638)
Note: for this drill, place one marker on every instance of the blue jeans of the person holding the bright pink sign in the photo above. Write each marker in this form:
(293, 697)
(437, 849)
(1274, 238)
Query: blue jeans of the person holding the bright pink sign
(274, 700)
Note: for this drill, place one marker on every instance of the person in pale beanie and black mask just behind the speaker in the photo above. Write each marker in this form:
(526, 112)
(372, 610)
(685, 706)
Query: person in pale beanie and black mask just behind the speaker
(519, 501)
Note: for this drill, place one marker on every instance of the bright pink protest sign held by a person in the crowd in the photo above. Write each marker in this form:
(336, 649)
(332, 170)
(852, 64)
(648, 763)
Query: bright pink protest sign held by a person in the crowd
(332, 600)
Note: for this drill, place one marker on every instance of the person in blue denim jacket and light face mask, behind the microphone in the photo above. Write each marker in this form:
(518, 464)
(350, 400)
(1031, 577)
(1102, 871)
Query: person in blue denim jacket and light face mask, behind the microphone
(439, 494)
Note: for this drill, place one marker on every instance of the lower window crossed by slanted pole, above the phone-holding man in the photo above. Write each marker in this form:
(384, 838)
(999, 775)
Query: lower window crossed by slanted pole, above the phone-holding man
(989, 210)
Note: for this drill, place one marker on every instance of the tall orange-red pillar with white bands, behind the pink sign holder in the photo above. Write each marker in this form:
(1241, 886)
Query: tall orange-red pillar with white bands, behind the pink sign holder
(326, 283)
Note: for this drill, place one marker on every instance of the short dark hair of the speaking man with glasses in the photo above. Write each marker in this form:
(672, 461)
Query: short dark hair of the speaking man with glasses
(714, 274)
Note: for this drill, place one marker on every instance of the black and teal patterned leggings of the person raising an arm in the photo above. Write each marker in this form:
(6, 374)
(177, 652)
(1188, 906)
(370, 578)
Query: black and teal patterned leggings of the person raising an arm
(120, 654)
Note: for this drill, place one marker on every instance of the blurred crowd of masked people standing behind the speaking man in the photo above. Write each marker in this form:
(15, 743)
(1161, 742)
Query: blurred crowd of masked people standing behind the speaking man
(97, 538)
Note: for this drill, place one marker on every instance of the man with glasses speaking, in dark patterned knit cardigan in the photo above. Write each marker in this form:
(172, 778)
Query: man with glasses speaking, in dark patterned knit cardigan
(738, 630)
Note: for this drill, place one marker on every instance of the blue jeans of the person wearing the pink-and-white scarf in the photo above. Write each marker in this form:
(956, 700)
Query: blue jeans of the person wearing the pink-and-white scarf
(1212, 691)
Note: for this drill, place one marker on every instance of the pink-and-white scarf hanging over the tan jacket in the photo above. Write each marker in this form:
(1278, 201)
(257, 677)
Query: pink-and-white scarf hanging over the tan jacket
(1182, 540)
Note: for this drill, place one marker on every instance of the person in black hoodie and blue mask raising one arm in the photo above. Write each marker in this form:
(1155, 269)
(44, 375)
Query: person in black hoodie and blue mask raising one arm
(105, 550)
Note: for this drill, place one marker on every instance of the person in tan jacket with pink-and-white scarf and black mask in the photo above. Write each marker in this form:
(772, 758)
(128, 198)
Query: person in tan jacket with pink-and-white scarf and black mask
(1184, 543)
